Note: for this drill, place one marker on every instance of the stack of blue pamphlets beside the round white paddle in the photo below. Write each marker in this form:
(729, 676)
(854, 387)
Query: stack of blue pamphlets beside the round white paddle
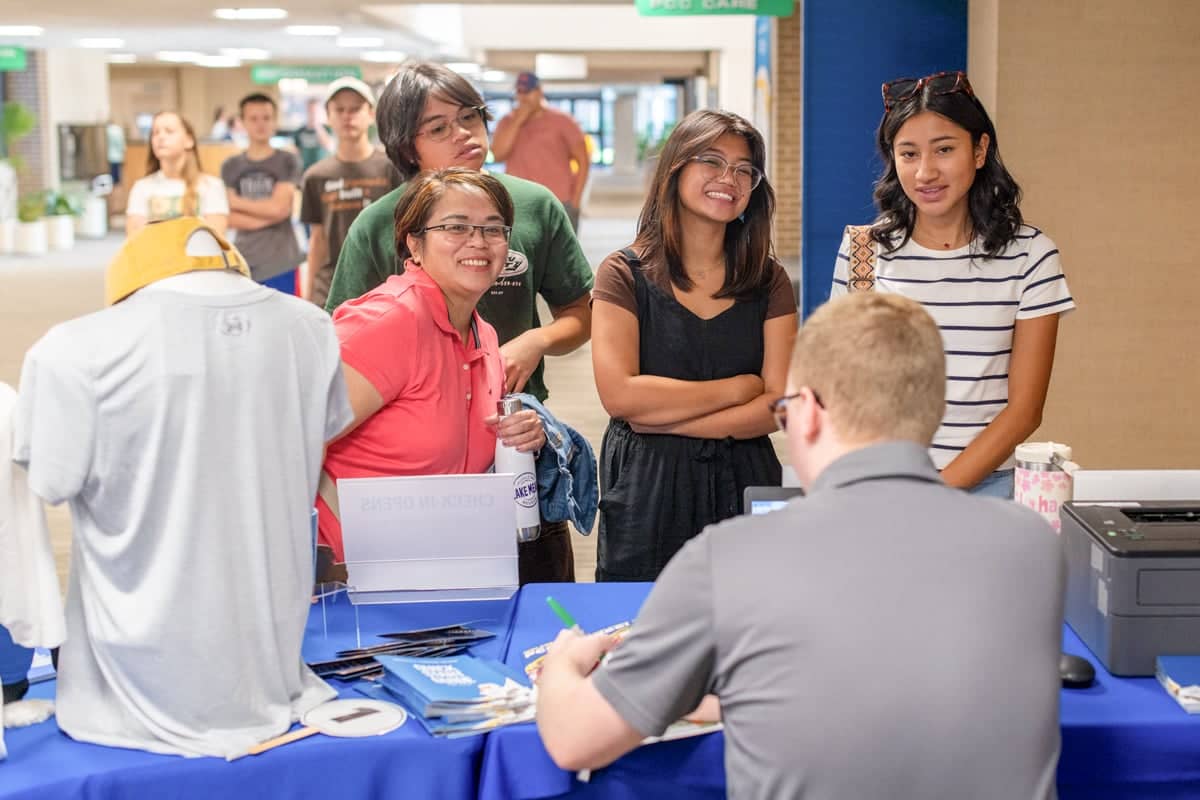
(459, 696)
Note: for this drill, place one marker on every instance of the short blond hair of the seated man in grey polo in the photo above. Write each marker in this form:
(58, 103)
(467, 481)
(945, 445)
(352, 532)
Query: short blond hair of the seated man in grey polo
(878, 364)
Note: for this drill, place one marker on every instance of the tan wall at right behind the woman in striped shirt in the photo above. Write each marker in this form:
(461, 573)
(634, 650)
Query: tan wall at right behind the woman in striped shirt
(1097, 119)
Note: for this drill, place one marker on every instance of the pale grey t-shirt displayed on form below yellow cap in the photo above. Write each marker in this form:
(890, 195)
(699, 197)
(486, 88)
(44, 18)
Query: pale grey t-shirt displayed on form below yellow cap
(187, 432)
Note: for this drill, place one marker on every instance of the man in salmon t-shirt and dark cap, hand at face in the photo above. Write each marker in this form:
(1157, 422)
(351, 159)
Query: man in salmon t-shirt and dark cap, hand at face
(538, 143)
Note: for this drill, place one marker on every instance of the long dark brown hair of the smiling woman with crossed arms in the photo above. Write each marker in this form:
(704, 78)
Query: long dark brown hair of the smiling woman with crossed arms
(748, 250)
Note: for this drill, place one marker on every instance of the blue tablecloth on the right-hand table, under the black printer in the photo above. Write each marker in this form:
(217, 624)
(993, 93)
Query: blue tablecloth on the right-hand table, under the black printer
(1123, 739)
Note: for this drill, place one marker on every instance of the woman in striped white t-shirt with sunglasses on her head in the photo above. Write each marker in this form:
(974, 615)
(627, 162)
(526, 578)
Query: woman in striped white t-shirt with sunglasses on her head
(951, 236)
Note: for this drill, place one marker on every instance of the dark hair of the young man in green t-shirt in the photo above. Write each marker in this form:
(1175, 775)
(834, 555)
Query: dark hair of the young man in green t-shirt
(403, 105)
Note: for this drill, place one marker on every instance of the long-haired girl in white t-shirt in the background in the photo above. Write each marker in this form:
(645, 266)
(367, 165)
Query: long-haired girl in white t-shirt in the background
(176, 185)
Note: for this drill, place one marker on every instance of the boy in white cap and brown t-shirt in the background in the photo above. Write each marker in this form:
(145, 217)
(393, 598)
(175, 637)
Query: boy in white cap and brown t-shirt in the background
(339, 188)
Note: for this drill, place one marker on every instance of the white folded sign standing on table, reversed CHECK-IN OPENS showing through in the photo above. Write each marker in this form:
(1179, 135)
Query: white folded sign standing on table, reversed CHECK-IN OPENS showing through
(429, 539)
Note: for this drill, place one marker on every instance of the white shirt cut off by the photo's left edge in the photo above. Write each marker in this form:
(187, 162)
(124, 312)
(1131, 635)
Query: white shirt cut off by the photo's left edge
(31, 604)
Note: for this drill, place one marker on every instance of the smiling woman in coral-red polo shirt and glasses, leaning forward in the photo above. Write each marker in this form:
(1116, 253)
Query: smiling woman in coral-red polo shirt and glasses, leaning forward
(423, 369)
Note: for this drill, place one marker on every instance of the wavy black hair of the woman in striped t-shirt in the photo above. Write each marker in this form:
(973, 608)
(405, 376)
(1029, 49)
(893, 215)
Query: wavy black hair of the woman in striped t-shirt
(994, 200)
